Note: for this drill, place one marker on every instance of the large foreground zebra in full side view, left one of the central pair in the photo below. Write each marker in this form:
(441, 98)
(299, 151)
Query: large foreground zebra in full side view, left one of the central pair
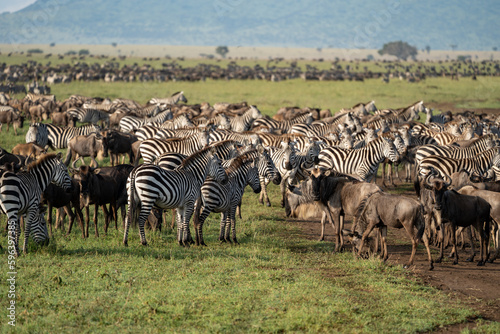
(149, 185)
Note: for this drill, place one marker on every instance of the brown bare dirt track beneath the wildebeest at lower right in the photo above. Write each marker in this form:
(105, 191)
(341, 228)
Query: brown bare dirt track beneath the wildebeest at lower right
(475, 287)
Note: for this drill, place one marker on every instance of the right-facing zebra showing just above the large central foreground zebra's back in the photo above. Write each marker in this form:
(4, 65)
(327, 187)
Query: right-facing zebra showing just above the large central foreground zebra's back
(151, 148)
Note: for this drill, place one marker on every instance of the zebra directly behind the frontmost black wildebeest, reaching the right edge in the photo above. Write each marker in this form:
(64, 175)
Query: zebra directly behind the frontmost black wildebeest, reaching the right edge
(446, 166)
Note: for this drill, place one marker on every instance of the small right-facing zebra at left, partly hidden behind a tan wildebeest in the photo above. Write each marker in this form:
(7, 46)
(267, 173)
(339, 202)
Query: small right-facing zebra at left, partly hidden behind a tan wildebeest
(57, 137)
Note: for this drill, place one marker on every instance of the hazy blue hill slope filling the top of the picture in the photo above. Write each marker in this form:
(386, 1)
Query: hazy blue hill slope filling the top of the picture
(355, 24)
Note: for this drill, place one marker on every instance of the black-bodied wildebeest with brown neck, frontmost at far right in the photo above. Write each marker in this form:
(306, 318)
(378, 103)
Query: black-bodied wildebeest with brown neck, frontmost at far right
(457, 209)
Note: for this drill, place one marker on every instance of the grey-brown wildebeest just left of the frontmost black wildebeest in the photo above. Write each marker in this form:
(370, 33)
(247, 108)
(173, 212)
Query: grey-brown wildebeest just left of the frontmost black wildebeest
(381, 210)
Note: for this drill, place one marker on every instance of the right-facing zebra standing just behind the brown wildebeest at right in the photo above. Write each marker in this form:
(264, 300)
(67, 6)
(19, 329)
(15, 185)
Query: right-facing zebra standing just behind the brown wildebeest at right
(361, 163)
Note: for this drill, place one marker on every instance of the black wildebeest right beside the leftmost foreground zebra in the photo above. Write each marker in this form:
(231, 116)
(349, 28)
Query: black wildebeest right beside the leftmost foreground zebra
(56, 197)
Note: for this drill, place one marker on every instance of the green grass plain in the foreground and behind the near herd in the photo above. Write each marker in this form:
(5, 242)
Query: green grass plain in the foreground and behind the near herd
(274, 281)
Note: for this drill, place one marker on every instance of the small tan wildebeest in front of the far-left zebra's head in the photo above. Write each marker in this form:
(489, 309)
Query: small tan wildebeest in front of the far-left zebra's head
(86, 146)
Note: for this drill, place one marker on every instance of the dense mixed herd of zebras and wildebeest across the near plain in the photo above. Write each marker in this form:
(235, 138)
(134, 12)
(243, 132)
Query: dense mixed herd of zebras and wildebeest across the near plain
(197, 159)
